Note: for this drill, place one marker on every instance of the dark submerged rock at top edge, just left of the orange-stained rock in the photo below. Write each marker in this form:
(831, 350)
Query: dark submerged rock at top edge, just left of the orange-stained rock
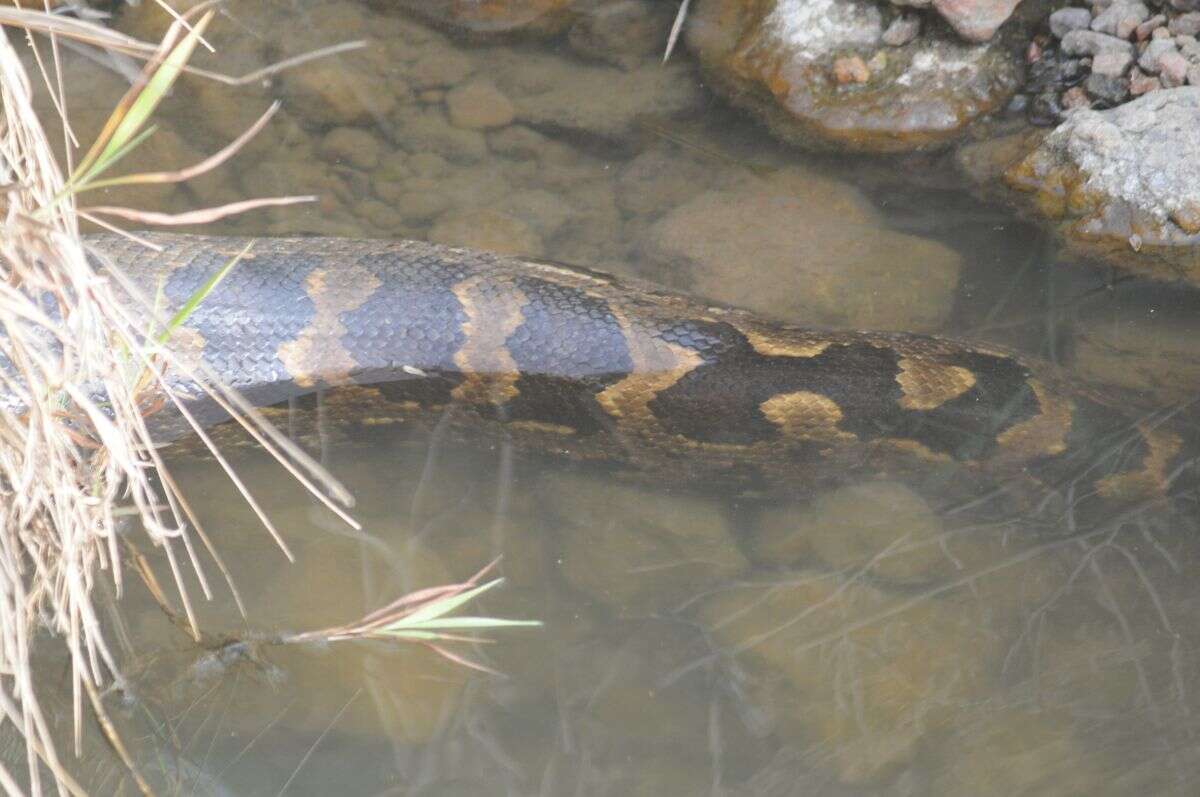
(622, 33)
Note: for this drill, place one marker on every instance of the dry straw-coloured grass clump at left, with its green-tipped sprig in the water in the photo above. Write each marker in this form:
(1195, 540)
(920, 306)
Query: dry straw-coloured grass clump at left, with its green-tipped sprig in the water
(80, 368)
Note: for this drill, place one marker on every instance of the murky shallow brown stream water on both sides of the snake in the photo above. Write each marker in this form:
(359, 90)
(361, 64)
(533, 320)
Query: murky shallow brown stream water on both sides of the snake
(872, 642)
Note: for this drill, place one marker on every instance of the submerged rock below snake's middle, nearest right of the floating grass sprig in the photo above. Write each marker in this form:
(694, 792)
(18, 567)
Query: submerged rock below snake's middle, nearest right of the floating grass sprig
(640, 553)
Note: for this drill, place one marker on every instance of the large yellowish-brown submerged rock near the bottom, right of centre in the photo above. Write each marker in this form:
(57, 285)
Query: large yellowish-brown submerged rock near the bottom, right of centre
(850, 670)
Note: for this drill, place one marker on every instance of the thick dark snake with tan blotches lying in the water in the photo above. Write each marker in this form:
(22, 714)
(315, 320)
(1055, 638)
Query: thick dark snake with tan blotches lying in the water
(585, 364)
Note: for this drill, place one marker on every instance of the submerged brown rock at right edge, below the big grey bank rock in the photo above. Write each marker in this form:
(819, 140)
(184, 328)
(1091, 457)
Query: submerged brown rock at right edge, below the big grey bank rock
(1144, 343)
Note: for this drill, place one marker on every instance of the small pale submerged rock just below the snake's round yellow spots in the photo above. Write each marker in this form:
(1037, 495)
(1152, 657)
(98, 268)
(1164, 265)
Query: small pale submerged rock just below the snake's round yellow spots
(854, 526)
